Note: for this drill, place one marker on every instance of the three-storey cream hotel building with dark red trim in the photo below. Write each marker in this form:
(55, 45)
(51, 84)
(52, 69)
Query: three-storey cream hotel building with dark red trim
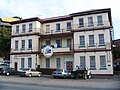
(82, 38)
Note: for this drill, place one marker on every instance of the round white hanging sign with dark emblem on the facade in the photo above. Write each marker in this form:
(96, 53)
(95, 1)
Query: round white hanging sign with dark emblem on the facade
(48, 51)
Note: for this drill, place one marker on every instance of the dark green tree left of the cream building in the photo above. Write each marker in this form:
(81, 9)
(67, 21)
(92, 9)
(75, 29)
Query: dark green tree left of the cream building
(5, 40)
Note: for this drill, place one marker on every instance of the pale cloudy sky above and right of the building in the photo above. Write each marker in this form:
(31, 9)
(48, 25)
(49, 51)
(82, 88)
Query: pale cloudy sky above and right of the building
(52, 8)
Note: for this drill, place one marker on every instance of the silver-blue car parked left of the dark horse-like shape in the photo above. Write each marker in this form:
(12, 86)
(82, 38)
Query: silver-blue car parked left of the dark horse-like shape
(61, 73)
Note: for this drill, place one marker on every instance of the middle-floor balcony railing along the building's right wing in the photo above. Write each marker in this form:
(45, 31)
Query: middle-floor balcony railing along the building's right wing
(93, 46)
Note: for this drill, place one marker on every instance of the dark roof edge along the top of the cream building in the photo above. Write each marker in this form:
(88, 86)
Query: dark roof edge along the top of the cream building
(67, 17)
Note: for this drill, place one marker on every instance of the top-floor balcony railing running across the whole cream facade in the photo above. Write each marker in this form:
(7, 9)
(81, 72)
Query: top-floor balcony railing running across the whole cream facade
(74, 27)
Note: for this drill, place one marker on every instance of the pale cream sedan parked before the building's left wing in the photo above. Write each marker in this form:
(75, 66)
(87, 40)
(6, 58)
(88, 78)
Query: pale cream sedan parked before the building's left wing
(29, 72)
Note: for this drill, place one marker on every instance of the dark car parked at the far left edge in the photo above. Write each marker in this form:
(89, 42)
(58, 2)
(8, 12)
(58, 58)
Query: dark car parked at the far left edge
(9, 71)
